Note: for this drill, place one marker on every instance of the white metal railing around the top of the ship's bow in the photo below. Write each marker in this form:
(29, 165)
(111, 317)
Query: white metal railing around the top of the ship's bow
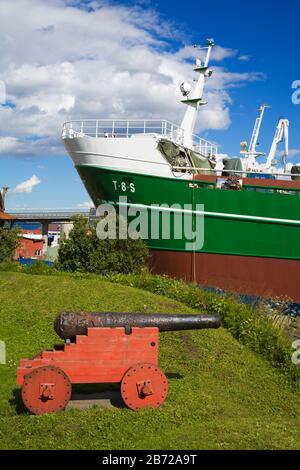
(112, 128)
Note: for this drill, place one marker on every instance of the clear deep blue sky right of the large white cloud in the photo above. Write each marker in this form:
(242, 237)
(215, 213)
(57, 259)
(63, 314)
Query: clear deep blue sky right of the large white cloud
(266, 31)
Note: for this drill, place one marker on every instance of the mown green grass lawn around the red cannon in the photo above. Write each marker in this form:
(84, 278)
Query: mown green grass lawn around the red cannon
(222, 395)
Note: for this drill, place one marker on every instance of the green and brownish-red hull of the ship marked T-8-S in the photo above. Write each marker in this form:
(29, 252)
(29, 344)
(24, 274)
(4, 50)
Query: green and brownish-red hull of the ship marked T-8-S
(251, 236)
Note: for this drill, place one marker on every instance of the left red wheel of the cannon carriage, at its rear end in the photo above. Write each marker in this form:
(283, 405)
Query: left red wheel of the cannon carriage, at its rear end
(46, 389)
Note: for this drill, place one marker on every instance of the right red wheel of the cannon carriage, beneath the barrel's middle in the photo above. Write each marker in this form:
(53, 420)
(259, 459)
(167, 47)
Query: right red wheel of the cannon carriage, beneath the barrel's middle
(144, 386)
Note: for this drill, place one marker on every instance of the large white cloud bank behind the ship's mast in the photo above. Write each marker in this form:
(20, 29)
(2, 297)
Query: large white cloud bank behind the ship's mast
(112, 61)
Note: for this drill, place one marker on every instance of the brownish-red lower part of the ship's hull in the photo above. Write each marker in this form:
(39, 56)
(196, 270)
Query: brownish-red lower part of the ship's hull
(244, 274)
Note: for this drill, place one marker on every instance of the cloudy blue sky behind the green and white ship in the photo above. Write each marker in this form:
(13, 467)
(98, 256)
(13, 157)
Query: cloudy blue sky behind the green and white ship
(261, 38)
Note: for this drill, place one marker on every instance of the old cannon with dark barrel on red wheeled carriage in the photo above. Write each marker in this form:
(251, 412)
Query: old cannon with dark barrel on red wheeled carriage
(103, 348)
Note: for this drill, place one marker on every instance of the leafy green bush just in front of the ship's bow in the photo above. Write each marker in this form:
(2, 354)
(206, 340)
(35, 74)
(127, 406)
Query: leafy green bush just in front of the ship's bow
(83, 251)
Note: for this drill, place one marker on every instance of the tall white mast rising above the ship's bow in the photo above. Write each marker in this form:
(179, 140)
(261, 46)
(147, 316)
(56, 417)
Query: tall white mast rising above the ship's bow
(195, 99)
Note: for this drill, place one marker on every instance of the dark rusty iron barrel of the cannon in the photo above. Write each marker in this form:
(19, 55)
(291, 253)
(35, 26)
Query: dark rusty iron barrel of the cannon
(67, 324)
